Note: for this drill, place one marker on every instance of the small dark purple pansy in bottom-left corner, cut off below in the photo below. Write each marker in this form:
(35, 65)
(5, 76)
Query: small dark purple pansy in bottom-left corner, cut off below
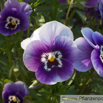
(14, 92)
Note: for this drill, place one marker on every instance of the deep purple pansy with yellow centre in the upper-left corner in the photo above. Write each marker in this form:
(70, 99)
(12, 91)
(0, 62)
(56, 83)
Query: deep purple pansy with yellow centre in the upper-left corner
(14, 17)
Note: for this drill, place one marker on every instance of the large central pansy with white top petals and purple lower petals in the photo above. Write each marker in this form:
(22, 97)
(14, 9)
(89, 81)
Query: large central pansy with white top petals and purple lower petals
(50, 52)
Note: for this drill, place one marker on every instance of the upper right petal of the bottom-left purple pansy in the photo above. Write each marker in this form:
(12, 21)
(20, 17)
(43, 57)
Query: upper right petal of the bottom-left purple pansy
(22, 88)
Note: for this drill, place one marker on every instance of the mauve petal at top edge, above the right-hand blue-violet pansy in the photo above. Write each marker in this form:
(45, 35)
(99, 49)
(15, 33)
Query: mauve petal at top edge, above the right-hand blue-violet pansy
(90, 3)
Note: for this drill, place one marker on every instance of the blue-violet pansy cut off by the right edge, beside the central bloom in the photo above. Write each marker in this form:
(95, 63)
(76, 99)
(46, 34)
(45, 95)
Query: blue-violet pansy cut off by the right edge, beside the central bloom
(90, 51)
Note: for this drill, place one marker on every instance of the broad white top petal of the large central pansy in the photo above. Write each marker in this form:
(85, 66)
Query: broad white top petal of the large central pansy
(49, 31)
